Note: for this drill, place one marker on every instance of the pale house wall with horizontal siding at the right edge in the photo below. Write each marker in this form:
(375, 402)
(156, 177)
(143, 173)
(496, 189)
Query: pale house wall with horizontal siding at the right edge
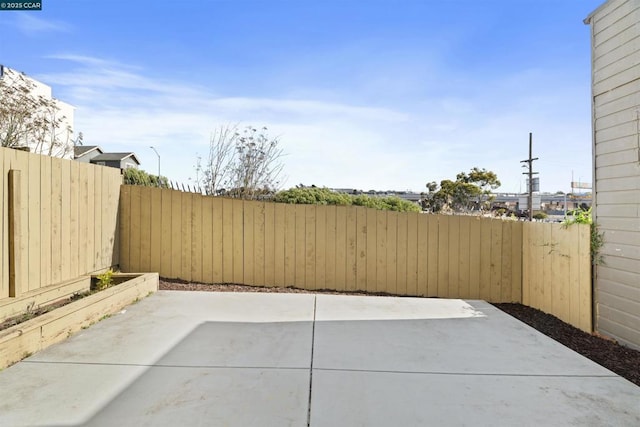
(615, 38)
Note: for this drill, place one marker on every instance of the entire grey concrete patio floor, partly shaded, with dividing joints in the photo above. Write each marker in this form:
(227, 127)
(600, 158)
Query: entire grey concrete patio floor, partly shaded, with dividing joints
(256, 359)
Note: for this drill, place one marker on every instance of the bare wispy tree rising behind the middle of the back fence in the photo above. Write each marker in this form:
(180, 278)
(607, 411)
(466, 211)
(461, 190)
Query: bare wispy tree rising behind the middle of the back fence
(244, 163)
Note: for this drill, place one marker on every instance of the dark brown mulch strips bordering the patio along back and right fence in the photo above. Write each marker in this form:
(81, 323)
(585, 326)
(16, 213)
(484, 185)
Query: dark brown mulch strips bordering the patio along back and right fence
(606, 352)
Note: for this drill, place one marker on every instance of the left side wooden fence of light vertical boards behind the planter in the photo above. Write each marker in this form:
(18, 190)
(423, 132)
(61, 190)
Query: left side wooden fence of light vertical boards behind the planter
(59, 221)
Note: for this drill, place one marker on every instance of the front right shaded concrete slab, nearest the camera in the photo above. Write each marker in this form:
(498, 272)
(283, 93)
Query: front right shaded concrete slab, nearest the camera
(381, 399)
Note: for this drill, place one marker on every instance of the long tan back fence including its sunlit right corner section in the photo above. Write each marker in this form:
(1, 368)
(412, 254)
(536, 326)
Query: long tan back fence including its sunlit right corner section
(221, 240)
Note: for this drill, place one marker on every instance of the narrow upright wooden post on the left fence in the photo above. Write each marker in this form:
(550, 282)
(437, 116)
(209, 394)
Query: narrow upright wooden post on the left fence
(15, 235)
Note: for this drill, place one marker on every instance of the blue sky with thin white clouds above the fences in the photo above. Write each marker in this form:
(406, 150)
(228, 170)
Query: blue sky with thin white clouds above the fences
(372, 94)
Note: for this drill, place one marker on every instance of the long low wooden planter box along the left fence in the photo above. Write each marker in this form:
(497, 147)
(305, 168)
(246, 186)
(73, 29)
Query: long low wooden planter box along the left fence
(26, 338)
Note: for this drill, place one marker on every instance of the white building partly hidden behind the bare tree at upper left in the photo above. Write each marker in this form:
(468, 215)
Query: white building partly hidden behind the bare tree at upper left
(63, 147)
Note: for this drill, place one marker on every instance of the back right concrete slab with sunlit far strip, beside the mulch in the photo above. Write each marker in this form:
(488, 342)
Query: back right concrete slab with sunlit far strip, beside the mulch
(477, 338)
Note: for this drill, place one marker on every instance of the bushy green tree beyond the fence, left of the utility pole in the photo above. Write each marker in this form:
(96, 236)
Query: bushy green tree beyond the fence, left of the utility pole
(469, 191)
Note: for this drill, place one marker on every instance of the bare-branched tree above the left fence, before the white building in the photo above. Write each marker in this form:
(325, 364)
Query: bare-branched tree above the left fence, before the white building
(31, 120)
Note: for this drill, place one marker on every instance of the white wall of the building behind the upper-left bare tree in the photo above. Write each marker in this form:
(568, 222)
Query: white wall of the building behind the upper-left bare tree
(64, 132)
